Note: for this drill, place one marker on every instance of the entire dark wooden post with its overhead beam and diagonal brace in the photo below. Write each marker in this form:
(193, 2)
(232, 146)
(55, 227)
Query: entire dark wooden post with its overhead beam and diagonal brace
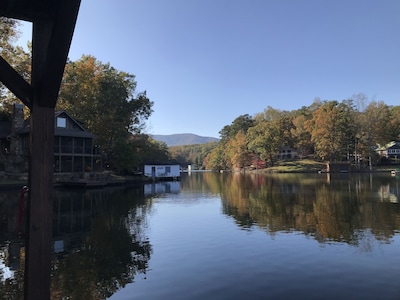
(53, 27)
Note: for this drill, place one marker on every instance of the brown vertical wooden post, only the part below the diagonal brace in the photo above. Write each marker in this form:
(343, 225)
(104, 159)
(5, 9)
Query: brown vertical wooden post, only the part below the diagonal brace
(40, 204)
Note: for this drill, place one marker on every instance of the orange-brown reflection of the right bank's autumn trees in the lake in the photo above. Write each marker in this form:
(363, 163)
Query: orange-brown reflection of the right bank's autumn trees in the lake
(340, 207)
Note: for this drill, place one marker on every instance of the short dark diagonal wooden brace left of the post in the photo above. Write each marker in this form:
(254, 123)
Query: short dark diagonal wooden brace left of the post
(15, 83)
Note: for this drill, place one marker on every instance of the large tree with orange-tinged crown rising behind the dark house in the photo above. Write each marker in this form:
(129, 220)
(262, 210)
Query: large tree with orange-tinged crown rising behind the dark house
(105, 100)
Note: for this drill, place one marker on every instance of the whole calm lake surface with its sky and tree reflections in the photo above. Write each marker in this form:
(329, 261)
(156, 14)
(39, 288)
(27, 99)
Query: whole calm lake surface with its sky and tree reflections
(220, 236)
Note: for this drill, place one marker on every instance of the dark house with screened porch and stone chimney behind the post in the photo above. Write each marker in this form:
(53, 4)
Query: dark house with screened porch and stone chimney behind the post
(74, 150)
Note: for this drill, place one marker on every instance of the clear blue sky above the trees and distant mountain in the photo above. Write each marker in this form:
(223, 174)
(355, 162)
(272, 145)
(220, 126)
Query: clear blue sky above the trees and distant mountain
(206, 62)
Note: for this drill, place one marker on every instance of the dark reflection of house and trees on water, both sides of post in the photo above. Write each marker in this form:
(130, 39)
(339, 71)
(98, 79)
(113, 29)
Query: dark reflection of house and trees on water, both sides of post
(99, 242)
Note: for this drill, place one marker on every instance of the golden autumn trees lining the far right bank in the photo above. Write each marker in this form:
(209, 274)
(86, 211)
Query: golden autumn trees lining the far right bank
(349, 130)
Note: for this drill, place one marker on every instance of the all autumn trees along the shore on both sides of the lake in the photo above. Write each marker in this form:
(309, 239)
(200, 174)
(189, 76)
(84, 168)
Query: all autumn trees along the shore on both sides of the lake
(105, 100)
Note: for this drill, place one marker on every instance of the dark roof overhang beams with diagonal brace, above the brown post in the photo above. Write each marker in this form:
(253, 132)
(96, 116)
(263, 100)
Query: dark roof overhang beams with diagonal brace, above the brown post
(53, 26)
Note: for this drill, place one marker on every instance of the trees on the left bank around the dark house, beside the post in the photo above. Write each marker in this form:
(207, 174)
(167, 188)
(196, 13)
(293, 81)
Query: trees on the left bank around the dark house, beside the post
(99, 96)
